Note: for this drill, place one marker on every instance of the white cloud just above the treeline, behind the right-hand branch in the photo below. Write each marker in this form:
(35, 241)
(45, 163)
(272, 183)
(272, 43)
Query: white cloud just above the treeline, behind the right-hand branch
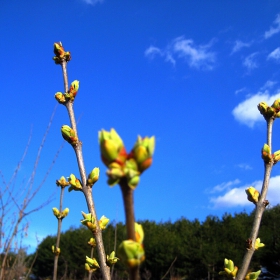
(237, 196)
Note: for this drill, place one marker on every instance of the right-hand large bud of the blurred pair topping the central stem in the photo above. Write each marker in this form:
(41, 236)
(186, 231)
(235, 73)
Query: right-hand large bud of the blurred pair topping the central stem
(143, 151)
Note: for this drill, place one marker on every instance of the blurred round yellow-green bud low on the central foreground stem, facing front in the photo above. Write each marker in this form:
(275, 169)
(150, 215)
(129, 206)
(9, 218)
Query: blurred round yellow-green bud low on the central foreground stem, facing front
(131, 253)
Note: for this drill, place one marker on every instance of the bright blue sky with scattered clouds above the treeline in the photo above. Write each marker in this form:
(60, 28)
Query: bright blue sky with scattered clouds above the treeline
(189, 72)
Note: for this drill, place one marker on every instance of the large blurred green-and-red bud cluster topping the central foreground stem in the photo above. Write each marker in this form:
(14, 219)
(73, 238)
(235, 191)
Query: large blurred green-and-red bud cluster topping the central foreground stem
(123, 165)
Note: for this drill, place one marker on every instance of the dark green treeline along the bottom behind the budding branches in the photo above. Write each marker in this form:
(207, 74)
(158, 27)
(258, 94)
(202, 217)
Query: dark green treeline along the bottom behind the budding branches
(185, 249)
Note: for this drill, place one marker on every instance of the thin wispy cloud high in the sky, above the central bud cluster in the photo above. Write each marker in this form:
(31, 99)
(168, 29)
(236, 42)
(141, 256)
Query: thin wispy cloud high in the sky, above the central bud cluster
(197, 56)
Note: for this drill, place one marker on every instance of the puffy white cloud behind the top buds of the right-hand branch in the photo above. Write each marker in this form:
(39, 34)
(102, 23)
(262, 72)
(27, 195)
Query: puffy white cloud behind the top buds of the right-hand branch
(247, 112)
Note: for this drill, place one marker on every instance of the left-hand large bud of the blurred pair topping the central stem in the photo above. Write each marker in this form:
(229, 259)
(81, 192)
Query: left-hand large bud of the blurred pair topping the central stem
(111, 147)
